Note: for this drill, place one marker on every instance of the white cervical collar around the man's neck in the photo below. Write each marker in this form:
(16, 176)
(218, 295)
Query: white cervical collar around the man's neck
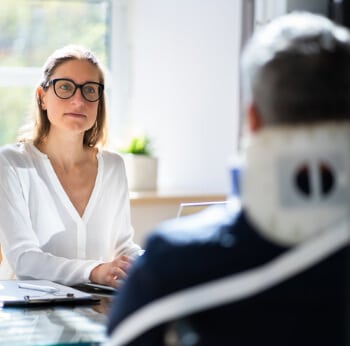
(296, 180)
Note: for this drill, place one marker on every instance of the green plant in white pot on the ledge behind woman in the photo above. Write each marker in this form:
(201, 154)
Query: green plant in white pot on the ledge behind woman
(140, 164)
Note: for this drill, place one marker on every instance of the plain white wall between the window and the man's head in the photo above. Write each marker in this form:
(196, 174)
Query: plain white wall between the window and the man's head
(183, 87)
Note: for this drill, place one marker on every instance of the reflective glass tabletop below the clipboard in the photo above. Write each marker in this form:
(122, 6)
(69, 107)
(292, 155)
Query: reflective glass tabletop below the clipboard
(80, 325)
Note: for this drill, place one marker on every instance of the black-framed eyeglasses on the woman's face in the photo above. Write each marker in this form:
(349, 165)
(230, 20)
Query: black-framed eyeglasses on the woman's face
(66, 88)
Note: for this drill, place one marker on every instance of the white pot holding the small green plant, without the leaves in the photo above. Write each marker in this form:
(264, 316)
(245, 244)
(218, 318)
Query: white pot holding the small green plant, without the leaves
(141, 171)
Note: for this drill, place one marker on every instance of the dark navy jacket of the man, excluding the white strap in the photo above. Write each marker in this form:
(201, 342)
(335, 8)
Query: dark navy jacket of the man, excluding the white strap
(308, 309)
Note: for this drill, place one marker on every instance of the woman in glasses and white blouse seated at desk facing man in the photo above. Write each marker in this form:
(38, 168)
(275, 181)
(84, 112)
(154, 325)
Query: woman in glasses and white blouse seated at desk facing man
(64, 207)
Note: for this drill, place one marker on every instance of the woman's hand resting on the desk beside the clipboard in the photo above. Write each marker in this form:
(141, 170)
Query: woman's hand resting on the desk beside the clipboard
(108, 273)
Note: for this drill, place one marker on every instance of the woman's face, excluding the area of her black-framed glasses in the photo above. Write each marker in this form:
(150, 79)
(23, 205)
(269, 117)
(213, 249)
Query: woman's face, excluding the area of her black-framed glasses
(74, 114)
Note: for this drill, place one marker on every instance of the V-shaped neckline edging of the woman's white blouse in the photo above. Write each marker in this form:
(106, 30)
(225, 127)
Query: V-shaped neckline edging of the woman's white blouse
(61, 191)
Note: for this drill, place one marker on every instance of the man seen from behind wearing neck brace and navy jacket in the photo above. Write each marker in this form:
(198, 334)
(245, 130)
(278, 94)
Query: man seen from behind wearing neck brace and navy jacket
(274, 272)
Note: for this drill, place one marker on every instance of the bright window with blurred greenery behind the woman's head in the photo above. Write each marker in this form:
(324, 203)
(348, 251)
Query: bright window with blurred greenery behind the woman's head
(30, 31)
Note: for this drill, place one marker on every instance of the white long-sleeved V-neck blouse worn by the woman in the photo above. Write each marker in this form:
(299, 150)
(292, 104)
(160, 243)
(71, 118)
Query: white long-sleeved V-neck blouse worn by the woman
(41, 233)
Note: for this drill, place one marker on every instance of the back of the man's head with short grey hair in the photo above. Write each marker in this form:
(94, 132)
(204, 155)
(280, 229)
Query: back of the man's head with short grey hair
(296, 70)
